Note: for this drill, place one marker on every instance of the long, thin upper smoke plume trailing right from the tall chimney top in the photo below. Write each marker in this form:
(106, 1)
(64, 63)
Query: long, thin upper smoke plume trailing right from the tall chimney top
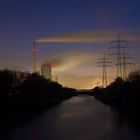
(86, 36)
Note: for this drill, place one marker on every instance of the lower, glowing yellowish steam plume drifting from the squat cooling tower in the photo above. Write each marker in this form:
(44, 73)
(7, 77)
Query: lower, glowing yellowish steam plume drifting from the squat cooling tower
(71, 60)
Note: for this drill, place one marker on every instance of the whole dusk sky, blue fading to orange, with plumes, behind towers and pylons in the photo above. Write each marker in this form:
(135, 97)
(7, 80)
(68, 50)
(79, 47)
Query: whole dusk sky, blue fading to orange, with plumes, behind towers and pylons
(76, 34)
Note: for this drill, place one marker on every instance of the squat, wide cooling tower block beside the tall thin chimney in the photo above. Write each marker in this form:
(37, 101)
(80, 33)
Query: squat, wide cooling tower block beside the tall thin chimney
(46, 71)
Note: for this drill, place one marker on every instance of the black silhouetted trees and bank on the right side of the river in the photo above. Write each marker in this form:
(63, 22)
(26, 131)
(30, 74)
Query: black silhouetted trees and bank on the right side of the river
(124, 95)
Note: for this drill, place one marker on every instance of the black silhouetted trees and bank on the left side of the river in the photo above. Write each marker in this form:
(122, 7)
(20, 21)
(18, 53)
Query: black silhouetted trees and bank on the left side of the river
(24, 95)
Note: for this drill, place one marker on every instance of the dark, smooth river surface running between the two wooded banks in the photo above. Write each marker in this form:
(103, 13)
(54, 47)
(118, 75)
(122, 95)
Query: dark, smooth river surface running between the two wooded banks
(79, 118)
